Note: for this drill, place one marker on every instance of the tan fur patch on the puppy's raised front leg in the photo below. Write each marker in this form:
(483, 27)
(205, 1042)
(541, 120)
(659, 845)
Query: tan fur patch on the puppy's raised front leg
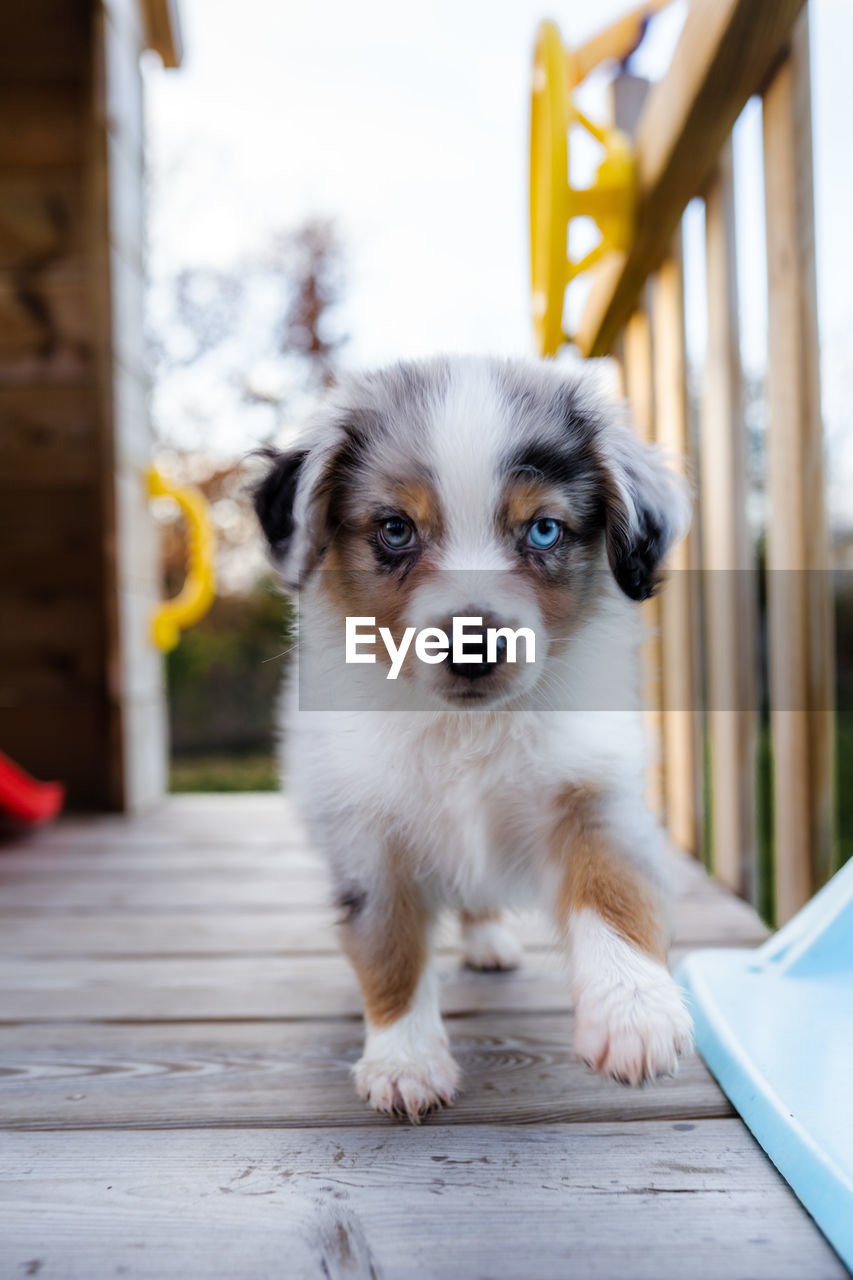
(596, 876)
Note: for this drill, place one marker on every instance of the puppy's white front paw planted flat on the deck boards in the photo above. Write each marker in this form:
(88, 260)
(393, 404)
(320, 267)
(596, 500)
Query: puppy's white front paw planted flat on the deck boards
(408, 1086)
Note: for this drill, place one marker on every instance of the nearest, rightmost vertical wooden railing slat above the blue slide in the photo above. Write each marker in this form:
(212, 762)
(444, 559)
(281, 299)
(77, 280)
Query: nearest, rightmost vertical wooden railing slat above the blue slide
(800, 602)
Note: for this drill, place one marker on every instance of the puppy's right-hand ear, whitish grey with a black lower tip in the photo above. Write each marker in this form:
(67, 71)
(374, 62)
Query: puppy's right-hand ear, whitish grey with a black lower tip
(647, 509)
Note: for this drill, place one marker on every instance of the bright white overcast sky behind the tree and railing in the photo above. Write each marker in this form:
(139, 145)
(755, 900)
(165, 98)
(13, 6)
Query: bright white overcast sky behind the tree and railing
(408, 125)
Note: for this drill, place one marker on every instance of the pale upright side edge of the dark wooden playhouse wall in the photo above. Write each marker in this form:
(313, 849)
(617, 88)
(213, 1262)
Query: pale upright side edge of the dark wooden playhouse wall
(139, 751)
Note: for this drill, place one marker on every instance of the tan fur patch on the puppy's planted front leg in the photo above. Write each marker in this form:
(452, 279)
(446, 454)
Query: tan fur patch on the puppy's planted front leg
(389, 949)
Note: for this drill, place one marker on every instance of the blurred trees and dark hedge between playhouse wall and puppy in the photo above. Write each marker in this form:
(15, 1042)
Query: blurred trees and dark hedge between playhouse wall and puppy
(238, 354)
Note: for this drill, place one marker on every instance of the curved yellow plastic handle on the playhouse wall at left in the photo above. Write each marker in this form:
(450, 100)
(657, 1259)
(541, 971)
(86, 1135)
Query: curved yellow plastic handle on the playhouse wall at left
(199, 589)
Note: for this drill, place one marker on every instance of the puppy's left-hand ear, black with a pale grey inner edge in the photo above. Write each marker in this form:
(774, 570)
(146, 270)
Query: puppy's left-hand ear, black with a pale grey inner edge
(291, 502)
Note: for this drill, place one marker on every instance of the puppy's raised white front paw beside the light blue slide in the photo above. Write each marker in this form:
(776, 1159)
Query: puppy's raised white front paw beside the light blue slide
(635, 1030)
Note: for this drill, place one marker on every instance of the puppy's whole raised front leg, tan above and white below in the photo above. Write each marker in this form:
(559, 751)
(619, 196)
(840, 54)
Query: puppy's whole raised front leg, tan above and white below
(631, 1022)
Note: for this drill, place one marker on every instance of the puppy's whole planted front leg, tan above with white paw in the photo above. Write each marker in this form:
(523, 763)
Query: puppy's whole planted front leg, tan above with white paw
(407, 1068)
